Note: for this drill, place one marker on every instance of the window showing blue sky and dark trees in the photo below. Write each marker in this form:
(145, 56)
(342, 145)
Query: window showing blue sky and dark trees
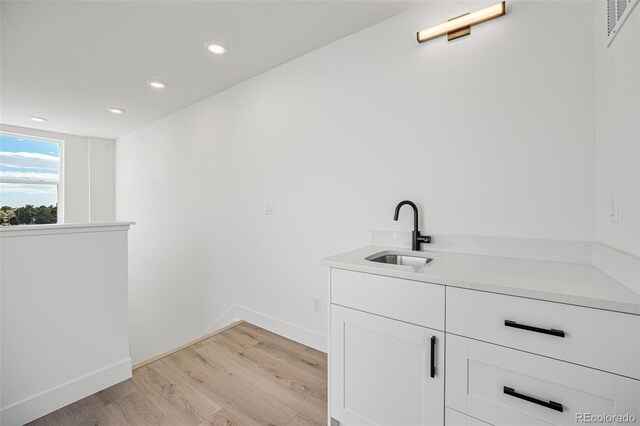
(29, 180)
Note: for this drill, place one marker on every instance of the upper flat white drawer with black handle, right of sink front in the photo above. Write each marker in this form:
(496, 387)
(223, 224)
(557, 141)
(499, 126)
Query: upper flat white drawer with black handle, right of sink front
(606, 340)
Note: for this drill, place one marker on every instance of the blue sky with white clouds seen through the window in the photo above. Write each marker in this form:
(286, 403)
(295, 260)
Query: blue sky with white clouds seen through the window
(24, 160)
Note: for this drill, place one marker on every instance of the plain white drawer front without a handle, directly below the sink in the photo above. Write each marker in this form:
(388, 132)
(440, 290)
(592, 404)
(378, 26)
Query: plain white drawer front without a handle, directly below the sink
(411, 301)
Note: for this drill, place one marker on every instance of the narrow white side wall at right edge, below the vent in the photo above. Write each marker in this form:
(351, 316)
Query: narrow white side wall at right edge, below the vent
(618, 131)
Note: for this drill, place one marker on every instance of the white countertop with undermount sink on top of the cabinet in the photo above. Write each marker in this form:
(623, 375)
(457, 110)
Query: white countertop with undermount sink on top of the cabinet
(571, 283)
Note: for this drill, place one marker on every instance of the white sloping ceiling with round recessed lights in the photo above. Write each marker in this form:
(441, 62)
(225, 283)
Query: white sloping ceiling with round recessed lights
(69, 61)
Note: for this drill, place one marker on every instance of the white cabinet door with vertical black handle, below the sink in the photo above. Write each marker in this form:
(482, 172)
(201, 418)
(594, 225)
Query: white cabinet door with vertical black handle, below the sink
(385, 372)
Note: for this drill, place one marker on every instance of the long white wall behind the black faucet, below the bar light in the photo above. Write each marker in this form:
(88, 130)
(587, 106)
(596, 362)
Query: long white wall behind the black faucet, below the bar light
(491, 135)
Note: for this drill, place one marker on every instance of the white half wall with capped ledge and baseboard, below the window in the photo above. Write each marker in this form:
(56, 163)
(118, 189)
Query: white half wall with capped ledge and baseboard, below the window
(63, 323)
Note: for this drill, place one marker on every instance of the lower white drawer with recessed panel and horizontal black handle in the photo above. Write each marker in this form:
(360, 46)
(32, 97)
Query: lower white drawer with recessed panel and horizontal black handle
(508, 387)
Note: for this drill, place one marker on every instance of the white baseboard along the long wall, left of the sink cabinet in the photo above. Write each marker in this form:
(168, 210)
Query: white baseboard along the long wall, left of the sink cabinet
(275, 325)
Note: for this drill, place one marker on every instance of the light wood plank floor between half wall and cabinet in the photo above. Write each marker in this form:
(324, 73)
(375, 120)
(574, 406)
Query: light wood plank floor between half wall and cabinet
(242, 376)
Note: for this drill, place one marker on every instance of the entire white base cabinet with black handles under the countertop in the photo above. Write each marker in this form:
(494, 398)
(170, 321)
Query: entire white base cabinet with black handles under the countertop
(509, 360)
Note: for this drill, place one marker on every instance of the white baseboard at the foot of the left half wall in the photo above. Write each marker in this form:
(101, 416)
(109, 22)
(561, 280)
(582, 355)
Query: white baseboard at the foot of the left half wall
(36, 406)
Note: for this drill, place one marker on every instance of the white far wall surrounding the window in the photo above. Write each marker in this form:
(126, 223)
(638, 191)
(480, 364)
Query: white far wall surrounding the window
(89, 175)
